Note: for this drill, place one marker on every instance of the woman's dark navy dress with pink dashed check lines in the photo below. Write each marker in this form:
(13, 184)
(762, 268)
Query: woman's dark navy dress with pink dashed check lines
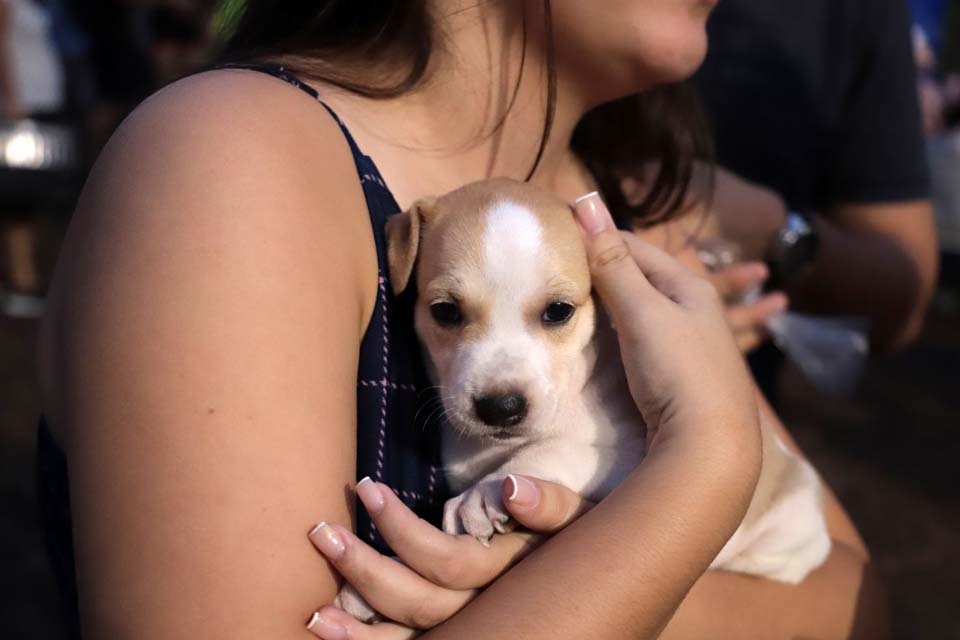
(397, 443)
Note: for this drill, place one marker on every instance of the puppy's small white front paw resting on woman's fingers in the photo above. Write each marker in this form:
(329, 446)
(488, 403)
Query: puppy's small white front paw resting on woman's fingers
(478, 511)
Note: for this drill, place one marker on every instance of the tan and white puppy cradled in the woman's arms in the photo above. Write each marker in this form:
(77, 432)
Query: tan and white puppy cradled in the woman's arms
(530, 376)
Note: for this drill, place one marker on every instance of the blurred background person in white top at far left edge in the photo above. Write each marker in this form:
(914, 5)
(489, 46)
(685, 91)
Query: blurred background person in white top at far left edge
(31, 88)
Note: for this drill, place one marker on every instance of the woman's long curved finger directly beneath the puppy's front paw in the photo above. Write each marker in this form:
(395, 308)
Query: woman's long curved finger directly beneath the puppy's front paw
(455, 562)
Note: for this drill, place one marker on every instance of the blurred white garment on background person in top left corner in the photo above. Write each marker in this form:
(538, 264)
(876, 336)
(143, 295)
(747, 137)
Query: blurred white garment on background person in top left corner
(37, 72)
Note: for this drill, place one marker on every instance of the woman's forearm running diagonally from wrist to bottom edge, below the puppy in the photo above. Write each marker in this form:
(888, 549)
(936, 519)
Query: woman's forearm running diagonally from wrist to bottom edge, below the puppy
(622, 569)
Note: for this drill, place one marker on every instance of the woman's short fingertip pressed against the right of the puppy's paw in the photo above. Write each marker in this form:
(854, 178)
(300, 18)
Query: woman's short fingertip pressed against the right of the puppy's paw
(541, 506)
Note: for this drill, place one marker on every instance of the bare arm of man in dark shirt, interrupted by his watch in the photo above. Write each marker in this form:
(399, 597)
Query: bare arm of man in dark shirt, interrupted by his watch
(877, 260)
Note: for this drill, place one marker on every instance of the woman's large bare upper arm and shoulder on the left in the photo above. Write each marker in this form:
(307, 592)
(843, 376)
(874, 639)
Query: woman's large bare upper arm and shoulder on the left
(208, 309)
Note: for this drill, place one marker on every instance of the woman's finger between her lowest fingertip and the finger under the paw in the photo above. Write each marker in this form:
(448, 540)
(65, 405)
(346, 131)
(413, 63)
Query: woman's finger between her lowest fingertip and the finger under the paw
(388, 586)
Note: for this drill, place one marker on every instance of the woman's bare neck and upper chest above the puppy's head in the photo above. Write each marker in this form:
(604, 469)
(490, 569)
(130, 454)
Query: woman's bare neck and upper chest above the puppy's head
(477, 113)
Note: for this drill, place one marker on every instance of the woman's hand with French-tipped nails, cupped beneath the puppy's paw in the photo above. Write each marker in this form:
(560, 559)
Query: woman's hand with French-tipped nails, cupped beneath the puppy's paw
(437, 574)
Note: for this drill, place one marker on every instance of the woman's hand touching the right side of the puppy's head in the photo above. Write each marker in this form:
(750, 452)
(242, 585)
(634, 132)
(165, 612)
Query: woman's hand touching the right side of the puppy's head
(682, 364)
